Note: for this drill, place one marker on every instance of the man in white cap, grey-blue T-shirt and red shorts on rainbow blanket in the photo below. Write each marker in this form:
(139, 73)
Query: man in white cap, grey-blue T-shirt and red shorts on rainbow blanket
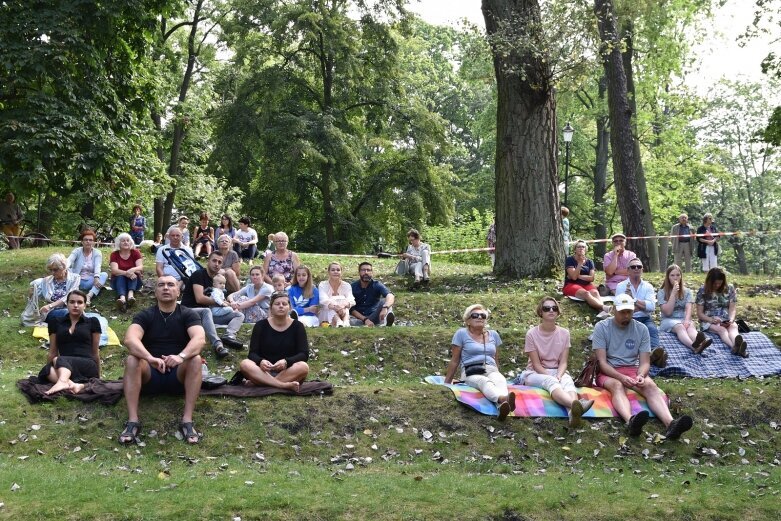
(622, 347)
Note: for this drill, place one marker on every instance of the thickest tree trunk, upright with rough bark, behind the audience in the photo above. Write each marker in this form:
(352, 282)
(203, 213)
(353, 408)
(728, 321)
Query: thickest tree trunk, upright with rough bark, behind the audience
(529, 242)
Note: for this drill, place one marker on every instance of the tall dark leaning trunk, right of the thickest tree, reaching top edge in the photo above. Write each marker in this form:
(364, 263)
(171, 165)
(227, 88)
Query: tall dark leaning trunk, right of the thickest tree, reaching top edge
(621, 136)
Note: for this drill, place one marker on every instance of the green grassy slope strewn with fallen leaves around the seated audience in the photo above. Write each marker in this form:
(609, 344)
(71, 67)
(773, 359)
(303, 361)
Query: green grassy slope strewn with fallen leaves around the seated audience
(361, 453)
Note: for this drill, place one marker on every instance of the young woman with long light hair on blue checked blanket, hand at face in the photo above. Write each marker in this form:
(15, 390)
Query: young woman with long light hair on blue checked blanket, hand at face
(675, 301)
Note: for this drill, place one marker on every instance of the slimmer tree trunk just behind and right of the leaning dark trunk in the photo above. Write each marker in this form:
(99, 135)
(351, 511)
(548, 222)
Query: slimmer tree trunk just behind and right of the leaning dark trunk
(652, 245)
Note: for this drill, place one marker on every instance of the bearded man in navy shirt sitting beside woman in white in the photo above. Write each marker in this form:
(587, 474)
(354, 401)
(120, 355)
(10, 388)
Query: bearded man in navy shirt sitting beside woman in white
(373, 301)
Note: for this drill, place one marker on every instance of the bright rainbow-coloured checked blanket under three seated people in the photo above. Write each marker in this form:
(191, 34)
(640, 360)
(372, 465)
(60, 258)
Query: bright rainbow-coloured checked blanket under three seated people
(533, 401)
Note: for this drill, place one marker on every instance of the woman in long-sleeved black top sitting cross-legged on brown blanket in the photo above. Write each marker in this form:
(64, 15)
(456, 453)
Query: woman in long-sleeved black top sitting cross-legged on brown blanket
(278, 348)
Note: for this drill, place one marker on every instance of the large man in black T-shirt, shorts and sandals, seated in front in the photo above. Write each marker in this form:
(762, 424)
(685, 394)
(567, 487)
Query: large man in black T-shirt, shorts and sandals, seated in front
(164, 344)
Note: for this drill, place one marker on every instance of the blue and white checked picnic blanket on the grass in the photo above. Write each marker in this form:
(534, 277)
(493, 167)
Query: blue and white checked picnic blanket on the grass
(717, 361)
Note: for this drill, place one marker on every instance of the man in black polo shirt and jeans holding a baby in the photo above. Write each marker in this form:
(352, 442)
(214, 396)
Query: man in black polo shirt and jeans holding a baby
(195, 296)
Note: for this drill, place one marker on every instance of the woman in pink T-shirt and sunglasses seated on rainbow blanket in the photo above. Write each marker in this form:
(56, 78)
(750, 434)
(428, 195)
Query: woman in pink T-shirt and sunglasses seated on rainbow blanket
(548, 347)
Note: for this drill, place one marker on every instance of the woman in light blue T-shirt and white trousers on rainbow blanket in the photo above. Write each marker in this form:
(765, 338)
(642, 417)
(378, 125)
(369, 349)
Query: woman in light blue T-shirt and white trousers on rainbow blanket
(475, 349)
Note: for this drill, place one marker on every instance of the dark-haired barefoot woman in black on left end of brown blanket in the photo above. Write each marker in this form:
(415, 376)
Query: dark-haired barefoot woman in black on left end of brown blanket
(73, 347)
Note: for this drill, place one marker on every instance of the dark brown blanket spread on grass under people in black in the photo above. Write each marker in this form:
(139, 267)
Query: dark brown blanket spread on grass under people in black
(109, 392)
